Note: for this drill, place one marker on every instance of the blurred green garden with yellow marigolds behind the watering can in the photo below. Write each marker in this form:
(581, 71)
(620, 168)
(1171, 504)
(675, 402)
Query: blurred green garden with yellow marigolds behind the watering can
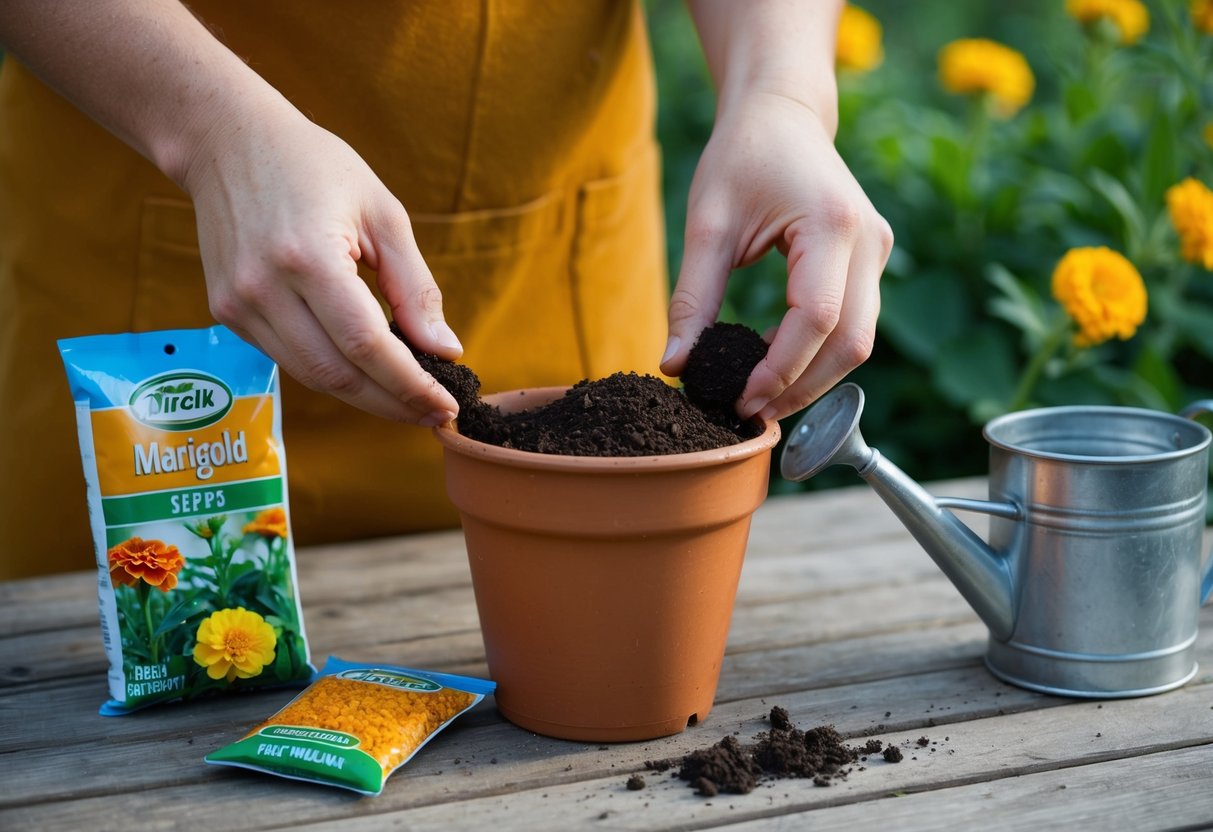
(1046, 169)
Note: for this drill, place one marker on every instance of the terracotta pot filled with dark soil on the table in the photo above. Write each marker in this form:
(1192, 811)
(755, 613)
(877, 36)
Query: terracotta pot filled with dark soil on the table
(605, 585)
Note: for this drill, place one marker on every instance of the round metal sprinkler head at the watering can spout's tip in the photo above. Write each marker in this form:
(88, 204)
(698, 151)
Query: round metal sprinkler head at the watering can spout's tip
(829, 435)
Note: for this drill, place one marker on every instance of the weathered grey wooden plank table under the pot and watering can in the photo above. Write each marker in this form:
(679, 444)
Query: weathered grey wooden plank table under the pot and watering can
(840, 619)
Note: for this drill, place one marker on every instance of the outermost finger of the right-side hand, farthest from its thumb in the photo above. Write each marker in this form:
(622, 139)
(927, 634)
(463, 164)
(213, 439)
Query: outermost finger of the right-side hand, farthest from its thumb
(851, 343)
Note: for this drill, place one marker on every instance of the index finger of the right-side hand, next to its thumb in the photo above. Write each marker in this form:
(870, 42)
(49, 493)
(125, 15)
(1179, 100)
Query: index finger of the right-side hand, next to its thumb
(818, 264)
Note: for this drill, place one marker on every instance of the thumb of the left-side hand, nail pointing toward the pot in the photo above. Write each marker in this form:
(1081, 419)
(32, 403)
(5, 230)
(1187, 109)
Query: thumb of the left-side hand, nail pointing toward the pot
(409, 287)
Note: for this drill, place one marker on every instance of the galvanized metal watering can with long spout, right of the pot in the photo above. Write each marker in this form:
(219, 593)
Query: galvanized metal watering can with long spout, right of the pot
(1092, 582)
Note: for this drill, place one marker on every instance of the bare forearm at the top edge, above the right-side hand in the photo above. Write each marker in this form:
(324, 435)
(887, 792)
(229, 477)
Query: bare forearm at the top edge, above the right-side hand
(784, 48)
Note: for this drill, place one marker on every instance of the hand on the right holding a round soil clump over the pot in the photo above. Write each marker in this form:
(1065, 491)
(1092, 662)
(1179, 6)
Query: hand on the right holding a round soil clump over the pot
(771, 176)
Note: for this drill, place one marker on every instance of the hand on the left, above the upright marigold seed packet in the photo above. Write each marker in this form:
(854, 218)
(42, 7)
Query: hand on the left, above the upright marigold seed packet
(286, 212)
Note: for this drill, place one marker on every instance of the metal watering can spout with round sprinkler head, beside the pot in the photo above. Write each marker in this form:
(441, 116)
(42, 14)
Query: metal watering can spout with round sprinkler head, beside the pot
(829, 435)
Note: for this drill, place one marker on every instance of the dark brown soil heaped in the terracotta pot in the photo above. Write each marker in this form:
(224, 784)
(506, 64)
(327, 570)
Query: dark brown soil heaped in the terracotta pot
(623, 415)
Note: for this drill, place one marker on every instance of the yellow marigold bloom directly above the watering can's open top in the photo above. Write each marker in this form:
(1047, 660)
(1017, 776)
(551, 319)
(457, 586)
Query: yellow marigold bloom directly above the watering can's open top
(1102, 292)
